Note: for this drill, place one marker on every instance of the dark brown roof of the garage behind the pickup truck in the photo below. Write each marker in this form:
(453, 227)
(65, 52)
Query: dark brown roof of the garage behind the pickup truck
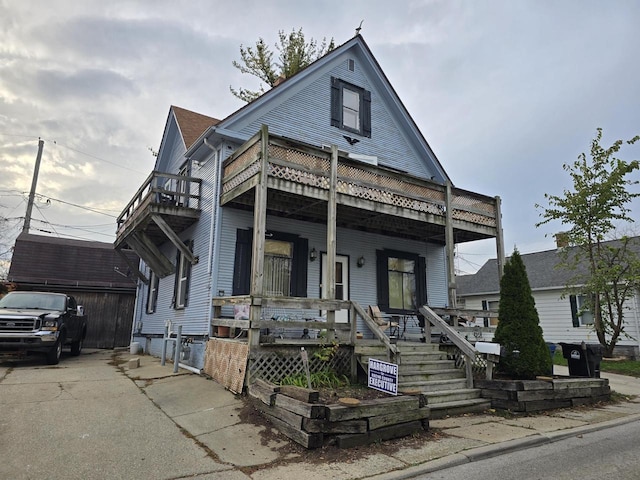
(42, 260)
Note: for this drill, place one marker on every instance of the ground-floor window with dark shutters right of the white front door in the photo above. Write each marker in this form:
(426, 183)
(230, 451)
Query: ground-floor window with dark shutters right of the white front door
(401, 281)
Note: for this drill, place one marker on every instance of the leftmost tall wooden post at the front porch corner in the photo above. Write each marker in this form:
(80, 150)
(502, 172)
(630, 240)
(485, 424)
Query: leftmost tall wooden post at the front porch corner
(259, 231)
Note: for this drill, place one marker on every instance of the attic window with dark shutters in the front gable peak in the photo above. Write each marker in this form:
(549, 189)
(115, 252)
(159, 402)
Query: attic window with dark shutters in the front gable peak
(350, 107)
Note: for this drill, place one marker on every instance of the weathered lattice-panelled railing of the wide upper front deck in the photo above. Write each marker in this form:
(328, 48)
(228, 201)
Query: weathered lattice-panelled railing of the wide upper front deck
(310, 167)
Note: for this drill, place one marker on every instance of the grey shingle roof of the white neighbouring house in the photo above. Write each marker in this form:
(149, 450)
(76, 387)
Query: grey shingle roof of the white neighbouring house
(542, 268)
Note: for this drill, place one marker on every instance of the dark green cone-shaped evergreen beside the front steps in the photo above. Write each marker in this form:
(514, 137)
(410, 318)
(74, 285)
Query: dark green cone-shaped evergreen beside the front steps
(526, 354)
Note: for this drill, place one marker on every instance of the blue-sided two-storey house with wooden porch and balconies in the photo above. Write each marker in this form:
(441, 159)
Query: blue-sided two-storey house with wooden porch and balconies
(316, 215)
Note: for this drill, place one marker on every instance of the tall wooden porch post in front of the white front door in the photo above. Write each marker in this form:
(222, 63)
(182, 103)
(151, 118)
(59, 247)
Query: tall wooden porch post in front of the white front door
(330, 289)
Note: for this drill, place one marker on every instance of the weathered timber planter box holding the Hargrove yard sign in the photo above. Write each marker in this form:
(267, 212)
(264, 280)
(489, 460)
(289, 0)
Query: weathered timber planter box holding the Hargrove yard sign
(298, 415)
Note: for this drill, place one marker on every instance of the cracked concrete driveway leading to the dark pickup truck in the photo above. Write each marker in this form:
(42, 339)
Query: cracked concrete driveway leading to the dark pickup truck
(86, 419)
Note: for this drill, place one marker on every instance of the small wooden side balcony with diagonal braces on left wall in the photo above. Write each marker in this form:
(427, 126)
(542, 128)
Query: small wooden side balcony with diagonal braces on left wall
(163, 207)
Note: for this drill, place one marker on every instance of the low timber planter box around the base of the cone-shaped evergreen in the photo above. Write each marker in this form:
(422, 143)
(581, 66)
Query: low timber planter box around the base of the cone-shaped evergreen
(536, 395)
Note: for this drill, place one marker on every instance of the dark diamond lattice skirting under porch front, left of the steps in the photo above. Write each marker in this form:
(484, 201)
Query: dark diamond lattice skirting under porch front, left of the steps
(275, 364)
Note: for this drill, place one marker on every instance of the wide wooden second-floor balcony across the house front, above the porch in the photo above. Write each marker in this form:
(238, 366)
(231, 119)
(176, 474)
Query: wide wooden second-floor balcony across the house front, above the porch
(369, 198)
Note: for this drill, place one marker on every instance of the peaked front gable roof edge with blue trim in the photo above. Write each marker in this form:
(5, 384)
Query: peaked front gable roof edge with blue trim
(227, 126)
